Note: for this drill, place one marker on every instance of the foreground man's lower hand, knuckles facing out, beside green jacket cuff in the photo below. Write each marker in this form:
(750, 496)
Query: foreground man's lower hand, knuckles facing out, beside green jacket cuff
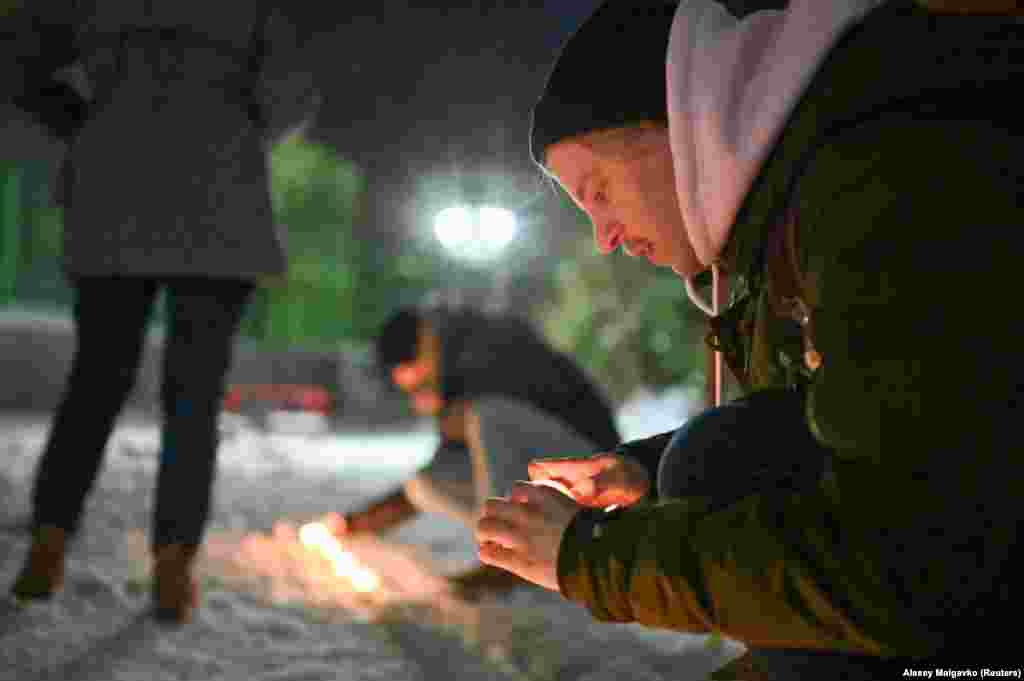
(523, 534)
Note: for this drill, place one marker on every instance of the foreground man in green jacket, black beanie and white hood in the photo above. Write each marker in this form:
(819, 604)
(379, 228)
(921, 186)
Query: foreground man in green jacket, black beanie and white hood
(857, 171)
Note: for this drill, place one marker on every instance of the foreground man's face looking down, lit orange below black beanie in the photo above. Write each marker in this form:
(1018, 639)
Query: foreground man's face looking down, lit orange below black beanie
(627, 188)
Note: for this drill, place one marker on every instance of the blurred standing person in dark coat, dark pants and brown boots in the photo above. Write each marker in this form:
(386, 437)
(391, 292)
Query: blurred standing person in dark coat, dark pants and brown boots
(165, 188)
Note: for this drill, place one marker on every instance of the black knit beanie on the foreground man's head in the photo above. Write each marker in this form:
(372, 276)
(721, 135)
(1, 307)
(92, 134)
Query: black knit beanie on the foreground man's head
(610, 74)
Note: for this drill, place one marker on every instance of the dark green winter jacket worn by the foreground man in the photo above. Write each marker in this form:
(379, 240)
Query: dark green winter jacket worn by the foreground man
(897, 187)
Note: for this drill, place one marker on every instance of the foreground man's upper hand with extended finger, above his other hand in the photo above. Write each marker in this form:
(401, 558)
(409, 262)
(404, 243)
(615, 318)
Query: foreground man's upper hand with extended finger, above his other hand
(601, 481)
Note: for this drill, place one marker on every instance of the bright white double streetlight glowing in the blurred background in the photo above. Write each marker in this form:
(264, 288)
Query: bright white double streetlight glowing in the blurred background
(478, 234)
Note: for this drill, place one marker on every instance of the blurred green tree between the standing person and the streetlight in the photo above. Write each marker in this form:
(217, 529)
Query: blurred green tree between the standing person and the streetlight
(340, 285)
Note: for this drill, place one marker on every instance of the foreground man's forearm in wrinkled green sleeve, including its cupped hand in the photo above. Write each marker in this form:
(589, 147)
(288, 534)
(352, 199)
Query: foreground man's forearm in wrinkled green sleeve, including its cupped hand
(758, 572)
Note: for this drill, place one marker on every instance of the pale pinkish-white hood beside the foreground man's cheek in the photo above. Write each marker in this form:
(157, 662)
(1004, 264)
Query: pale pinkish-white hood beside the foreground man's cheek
(732, 86)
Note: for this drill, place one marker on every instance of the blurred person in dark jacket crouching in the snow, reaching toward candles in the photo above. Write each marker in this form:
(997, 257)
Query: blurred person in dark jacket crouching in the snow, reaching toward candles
(501, 396)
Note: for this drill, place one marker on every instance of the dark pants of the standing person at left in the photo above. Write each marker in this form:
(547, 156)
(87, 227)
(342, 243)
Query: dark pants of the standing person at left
(111, 319)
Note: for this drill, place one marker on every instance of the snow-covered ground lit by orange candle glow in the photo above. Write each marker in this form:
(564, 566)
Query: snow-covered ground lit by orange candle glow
(273, 610)
